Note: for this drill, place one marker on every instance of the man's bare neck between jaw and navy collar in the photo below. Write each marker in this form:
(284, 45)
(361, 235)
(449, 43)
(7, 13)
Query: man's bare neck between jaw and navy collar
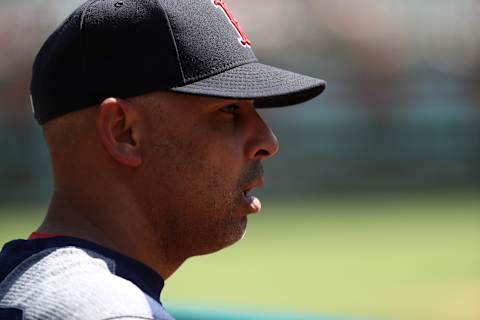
(115, 222)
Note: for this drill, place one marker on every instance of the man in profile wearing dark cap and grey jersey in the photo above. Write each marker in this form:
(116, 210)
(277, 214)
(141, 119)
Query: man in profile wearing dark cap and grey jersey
(148, 110)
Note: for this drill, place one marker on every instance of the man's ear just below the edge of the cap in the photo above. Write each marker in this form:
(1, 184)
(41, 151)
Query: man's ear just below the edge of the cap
(117, 126)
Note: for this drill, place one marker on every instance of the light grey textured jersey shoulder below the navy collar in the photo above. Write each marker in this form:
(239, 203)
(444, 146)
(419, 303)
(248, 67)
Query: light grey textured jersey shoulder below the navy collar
(73, 283)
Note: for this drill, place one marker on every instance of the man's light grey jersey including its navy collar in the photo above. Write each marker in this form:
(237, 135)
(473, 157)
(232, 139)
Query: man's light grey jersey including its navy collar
(67, 278)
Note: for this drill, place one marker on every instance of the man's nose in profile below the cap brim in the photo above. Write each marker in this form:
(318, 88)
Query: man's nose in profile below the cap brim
(263, 143)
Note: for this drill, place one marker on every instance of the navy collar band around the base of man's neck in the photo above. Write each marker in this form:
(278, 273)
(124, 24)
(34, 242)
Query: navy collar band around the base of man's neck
(16, 251)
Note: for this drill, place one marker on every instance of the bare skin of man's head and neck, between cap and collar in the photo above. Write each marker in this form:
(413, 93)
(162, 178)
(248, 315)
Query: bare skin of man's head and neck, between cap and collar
(159, 177)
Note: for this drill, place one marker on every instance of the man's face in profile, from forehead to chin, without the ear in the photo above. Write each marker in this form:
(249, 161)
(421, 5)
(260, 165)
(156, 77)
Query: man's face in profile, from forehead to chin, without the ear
(201, 157)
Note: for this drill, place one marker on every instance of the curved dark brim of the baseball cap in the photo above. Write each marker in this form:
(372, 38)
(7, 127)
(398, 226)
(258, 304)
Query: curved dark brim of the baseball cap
(269, 86)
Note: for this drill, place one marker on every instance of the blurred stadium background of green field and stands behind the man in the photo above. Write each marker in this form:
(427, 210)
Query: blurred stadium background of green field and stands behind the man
(372, 207)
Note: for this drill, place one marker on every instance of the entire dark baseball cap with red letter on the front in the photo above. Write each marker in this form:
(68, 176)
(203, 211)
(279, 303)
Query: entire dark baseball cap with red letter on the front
(125, 48)
